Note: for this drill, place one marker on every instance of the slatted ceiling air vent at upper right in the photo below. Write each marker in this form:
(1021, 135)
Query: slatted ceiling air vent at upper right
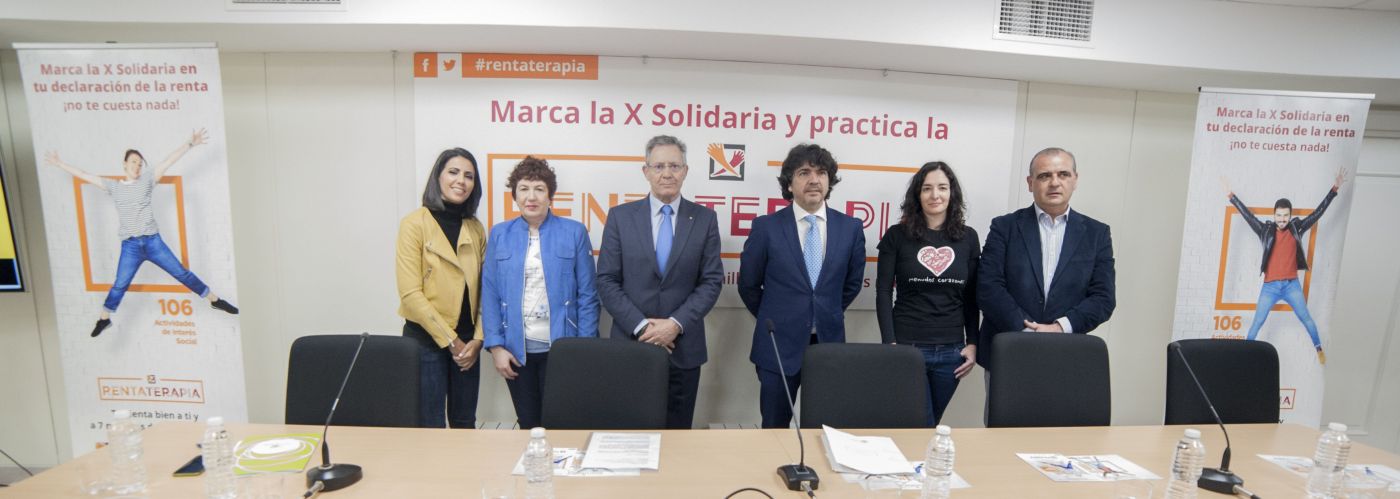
(1052, 22)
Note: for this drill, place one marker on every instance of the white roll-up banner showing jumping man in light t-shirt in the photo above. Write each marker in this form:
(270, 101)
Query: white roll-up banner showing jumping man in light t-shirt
(134, 176)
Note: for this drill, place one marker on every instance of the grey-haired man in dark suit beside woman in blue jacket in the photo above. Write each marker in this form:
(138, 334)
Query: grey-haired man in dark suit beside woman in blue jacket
(660, 273)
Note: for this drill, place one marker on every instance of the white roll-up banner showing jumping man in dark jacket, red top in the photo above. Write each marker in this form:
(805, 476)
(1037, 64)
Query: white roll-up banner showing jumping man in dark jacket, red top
(1266, 217)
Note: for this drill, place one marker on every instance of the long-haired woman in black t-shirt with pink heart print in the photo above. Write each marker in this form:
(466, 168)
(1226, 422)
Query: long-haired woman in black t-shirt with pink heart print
(932, 256)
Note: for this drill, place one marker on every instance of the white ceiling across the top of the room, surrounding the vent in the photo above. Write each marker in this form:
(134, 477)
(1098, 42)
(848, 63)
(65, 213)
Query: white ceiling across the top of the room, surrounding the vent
(1156, 46)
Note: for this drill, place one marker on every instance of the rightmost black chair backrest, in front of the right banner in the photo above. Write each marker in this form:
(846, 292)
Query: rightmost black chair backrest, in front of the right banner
(1240, 376)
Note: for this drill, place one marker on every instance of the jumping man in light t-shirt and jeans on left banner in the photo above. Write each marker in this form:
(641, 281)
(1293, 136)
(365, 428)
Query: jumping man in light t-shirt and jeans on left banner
(141, 238)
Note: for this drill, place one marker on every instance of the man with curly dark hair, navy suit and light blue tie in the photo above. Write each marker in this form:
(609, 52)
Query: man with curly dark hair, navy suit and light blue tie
(800, 270)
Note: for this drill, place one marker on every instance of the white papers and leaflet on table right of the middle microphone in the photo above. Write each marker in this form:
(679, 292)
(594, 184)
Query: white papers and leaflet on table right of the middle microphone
(876, 463)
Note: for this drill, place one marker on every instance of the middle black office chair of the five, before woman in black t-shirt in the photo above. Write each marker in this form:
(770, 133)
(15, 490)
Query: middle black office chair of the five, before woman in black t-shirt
(864, 386)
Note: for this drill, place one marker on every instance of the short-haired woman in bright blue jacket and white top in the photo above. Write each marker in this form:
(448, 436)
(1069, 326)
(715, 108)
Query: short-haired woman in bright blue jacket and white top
(537, 287)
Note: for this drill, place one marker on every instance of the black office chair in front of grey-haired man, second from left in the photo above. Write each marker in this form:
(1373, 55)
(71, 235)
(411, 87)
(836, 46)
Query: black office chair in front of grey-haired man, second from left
(596, 383)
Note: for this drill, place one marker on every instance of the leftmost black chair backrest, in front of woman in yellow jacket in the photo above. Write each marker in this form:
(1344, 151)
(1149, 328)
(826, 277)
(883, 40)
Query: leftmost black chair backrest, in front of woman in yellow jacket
(383, 390)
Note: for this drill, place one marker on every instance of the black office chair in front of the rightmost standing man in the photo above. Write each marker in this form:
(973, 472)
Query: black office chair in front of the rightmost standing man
(1044, 379)
